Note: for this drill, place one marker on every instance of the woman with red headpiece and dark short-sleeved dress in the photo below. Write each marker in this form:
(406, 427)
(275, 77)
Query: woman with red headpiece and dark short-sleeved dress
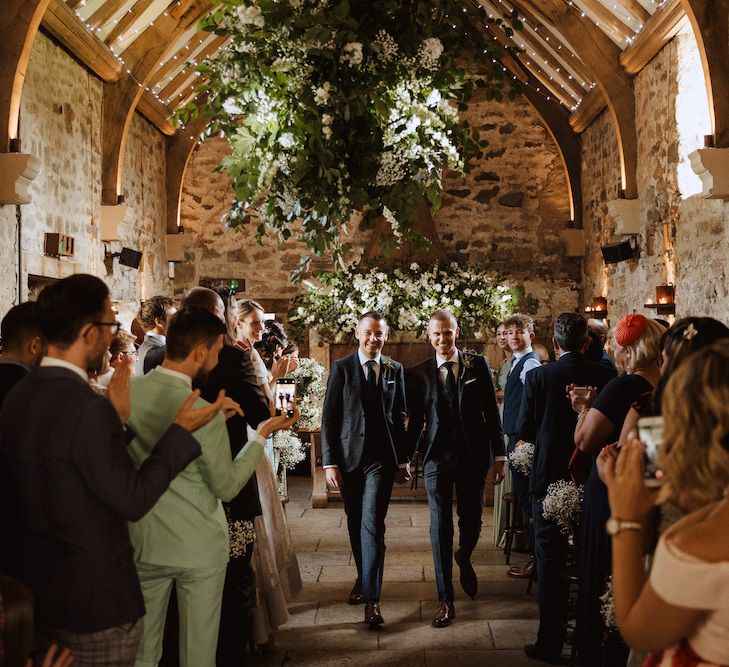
(637, 350)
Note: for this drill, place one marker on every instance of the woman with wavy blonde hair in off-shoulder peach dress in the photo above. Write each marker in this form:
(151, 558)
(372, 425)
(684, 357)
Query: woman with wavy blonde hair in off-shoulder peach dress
(680, 612)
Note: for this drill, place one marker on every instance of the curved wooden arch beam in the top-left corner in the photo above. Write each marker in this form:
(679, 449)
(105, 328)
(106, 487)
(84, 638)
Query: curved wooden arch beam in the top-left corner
(19, 23)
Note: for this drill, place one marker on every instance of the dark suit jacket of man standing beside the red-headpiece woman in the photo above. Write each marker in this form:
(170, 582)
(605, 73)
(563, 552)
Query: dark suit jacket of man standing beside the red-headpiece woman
(547, 418)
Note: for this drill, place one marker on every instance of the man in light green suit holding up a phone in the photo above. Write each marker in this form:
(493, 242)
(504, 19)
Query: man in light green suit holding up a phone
(183, 540)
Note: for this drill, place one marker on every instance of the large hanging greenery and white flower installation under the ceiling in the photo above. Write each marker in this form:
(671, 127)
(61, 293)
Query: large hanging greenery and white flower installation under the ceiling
(341, 110)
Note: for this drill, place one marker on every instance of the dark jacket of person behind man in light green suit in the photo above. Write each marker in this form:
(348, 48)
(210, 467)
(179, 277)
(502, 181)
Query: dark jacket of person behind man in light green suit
(235, 374)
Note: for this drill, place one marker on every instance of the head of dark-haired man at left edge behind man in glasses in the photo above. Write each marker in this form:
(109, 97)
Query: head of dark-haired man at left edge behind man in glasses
(22, 345)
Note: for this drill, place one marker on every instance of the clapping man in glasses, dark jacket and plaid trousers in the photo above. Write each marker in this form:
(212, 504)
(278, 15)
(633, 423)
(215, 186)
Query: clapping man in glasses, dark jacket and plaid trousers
(70, 486)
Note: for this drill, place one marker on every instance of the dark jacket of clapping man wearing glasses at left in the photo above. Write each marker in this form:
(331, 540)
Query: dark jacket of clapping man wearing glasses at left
(73, 488)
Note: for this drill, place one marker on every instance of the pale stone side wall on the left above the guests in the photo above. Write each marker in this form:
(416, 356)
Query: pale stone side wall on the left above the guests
(61, 125)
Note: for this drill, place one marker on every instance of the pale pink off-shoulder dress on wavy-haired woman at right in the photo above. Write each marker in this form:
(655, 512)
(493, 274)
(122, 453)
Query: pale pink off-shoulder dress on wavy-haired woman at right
(686, 581)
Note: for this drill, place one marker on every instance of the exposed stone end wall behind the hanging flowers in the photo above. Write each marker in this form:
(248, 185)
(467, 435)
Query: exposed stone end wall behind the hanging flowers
(504, 215)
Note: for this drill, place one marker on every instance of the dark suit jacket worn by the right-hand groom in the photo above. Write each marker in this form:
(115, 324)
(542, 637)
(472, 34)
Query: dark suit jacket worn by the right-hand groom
(478, 410)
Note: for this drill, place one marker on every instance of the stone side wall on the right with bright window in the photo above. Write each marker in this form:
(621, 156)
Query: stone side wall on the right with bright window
(684, 238)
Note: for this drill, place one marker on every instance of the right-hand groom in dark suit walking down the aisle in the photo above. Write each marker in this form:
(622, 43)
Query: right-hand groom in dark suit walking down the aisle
(452, 395)
